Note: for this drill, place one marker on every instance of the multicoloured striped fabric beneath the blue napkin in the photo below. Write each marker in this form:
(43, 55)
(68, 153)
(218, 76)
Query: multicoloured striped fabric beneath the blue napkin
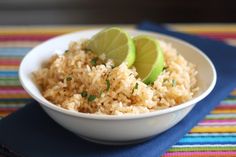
(215, 136)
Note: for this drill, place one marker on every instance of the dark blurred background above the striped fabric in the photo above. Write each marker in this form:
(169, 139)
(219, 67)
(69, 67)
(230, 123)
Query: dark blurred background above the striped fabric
(21, 12)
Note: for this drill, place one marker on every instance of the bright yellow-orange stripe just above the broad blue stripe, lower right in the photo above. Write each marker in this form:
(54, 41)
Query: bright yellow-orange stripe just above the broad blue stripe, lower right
(212, 129)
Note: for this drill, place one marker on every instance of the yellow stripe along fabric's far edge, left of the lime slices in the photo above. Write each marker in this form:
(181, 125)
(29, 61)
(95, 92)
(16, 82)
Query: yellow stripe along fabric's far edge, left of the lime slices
(51, 29)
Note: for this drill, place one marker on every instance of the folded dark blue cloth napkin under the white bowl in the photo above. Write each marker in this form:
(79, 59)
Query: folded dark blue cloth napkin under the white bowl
(30, 132)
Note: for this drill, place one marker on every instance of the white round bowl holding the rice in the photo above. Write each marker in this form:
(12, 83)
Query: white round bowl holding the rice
(109, 129)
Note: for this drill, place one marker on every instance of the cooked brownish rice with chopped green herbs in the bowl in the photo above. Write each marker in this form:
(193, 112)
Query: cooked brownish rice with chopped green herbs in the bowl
(73, 82)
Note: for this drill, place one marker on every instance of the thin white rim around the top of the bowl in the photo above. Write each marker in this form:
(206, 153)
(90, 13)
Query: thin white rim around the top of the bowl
(49, 105)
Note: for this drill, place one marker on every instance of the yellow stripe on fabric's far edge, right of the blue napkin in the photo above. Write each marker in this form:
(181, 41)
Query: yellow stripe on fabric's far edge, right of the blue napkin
(197, 28)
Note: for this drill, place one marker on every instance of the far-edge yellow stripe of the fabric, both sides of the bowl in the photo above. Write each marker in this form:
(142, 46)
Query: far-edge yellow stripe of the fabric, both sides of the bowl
(191, 28)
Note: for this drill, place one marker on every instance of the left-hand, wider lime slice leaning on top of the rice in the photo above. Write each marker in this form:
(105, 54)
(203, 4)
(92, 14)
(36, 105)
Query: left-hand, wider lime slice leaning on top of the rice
(115, 44)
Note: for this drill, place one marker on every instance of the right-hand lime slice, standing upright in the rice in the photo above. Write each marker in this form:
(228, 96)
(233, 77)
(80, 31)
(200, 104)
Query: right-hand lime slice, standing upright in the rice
(149, 60)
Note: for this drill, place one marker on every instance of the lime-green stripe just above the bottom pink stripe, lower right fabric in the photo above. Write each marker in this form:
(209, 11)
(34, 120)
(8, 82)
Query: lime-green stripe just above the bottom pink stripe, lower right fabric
(190, 149)
